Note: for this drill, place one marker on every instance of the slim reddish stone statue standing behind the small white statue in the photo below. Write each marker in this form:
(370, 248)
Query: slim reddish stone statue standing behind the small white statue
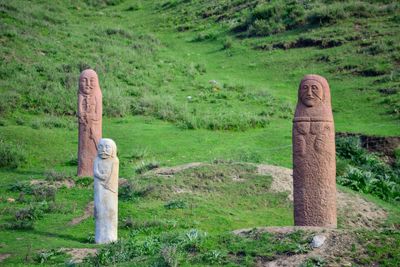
(89, 115)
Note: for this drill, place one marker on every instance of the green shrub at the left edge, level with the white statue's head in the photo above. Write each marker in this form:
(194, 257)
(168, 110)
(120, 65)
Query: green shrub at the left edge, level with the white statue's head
(11, 155)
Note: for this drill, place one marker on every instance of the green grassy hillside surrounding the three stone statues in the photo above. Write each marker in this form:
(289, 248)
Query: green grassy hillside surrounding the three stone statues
(188, 81)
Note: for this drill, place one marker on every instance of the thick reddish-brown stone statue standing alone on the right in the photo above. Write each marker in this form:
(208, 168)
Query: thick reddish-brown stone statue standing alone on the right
(314, 163)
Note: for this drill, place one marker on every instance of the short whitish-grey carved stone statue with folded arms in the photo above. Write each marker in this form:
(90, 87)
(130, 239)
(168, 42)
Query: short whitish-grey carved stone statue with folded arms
(106, 166)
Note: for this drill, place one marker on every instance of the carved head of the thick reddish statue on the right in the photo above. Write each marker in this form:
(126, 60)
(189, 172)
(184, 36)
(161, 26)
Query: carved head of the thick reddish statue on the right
(314, 98)
